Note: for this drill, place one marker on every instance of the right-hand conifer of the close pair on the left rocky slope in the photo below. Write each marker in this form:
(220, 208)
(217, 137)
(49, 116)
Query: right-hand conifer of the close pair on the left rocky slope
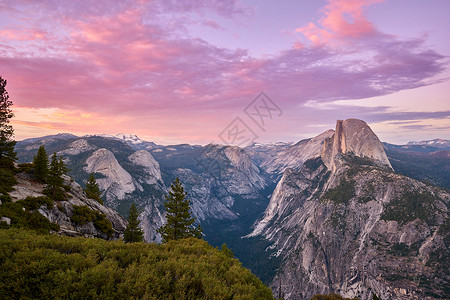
(55, 182)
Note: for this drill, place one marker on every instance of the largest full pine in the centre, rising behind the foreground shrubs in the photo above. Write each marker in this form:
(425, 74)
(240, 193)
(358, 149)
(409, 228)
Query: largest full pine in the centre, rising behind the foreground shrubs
(179, 220)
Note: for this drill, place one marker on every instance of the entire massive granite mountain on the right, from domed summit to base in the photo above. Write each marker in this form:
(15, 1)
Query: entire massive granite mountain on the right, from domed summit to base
(354, 227)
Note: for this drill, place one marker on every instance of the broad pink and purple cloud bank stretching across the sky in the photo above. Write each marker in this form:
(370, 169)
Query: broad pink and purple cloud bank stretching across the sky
(128, 64)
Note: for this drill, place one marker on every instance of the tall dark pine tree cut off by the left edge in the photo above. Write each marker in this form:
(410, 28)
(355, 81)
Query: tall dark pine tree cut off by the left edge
(7, 154)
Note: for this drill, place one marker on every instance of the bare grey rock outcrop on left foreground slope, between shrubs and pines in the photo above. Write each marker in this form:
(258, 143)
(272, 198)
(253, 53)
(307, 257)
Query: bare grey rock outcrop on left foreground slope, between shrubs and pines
(62, 212)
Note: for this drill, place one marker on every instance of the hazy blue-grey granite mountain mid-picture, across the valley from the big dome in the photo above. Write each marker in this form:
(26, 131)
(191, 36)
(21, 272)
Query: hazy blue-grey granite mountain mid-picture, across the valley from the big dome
(223, 174)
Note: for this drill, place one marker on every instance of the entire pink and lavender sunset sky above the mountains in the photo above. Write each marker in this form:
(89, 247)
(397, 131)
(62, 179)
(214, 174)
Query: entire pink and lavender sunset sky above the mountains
(228, 72)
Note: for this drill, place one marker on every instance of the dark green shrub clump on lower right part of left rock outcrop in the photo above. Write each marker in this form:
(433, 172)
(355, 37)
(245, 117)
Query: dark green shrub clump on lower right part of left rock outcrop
(83, 214)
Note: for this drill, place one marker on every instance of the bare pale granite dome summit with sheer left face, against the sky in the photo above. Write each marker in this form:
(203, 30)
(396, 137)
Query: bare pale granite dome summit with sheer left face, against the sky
(353, 136)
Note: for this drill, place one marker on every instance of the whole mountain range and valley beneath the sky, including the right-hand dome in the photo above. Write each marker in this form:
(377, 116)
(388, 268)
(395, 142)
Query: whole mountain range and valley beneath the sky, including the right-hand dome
(340, 212)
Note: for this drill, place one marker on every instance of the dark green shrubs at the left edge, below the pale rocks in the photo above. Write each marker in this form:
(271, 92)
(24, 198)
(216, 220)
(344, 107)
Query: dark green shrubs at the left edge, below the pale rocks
(28, 218)
